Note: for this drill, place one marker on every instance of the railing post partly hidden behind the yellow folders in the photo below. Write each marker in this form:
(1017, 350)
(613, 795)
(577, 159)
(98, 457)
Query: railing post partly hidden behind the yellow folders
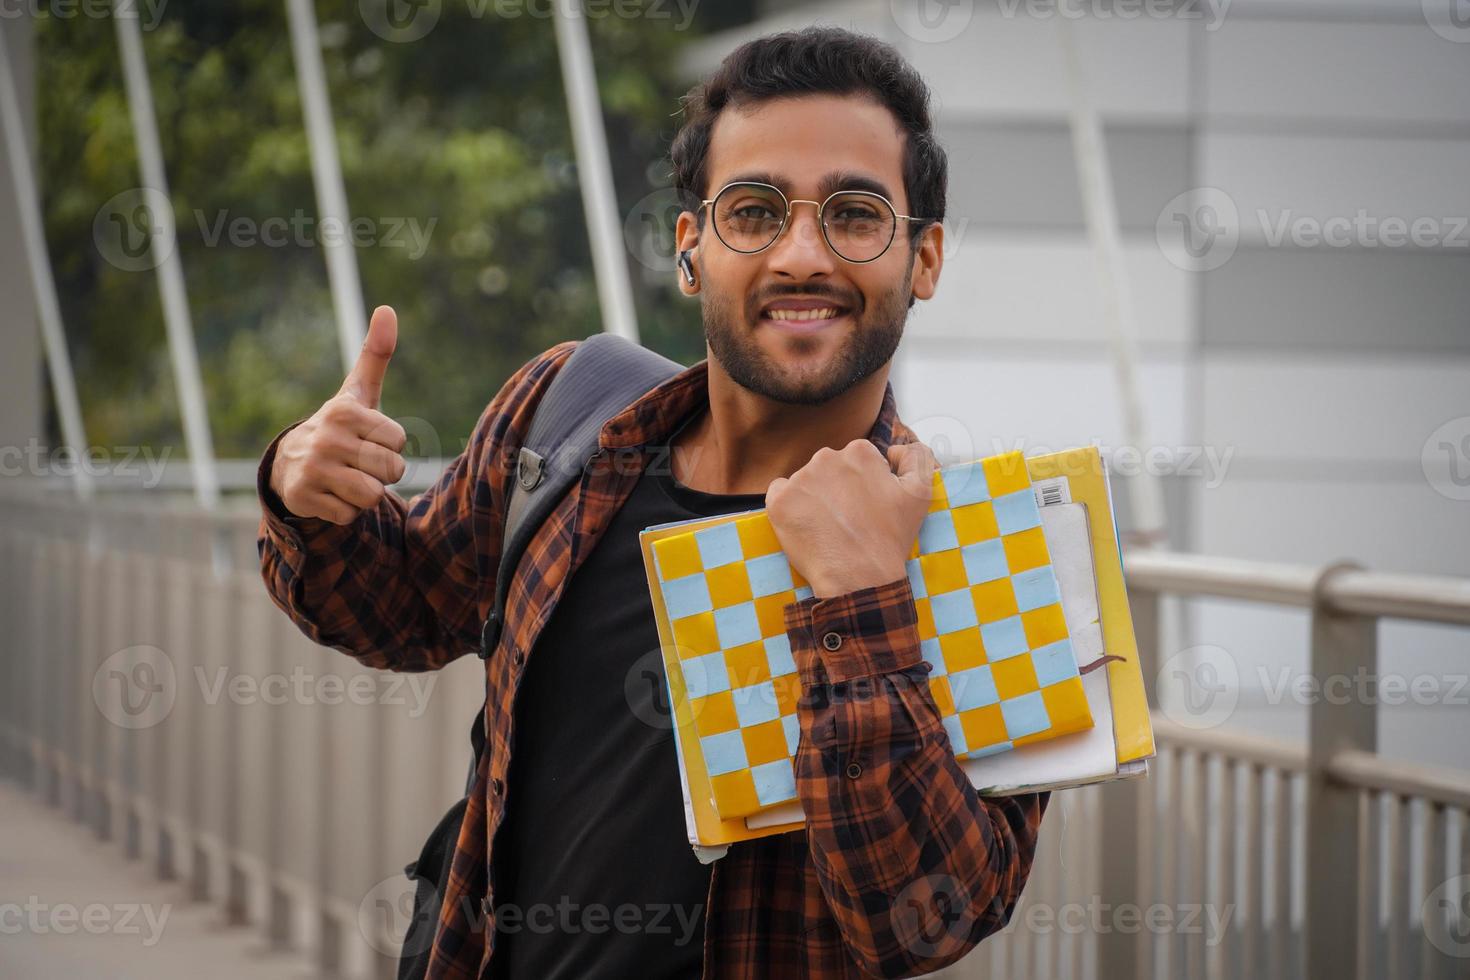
(1127, 872)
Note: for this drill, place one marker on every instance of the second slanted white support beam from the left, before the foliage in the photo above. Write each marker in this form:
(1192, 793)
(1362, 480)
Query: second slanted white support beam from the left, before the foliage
(165, 249)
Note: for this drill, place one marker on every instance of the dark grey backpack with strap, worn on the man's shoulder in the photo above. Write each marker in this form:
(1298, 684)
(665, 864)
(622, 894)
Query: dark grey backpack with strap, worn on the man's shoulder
(603, 375)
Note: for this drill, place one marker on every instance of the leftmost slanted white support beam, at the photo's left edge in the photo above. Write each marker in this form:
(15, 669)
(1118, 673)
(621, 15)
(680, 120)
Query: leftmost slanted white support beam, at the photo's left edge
(39, 265)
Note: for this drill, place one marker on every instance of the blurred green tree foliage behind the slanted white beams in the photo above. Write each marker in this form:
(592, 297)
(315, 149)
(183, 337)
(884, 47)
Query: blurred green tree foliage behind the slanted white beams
(462, 136)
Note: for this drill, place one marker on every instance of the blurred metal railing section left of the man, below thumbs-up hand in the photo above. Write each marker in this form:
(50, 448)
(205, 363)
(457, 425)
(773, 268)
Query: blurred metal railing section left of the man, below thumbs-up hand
(170, 706)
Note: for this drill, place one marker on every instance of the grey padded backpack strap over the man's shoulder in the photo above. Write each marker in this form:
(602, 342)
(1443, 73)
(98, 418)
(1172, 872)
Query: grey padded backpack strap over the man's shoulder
(603, 375)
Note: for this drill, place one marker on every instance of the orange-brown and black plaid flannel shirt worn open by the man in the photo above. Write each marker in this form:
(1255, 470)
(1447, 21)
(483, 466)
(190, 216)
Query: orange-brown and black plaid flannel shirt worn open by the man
(902, 868)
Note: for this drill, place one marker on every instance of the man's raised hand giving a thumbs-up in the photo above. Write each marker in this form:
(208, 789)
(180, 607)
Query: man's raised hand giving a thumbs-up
(337, 464)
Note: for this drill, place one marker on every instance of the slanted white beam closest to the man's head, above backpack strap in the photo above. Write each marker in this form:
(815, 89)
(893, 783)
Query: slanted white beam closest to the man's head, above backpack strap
(595, 173)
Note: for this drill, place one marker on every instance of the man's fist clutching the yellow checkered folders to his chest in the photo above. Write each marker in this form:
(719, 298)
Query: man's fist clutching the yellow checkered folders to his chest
(849, 519)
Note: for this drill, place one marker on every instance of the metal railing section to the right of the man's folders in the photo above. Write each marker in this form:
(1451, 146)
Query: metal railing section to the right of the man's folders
(1302, 843)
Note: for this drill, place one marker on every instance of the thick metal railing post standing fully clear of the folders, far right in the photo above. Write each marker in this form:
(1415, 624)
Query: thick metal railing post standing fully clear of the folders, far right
(1343, 716)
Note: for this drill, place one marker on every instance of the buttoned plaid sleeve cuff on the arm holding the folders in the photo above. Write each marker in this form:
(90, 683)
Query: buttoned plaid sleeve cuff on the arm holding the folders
(871, 631)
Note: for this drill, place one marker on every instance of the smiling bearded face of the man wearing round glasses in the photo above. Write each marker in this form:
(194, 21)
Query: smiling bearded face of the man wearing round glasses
(809, 148)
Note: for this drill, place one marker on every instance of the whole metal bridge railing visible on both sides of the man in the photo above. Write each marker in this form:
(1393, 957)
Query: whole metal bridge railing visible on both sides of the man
(165, 703)
